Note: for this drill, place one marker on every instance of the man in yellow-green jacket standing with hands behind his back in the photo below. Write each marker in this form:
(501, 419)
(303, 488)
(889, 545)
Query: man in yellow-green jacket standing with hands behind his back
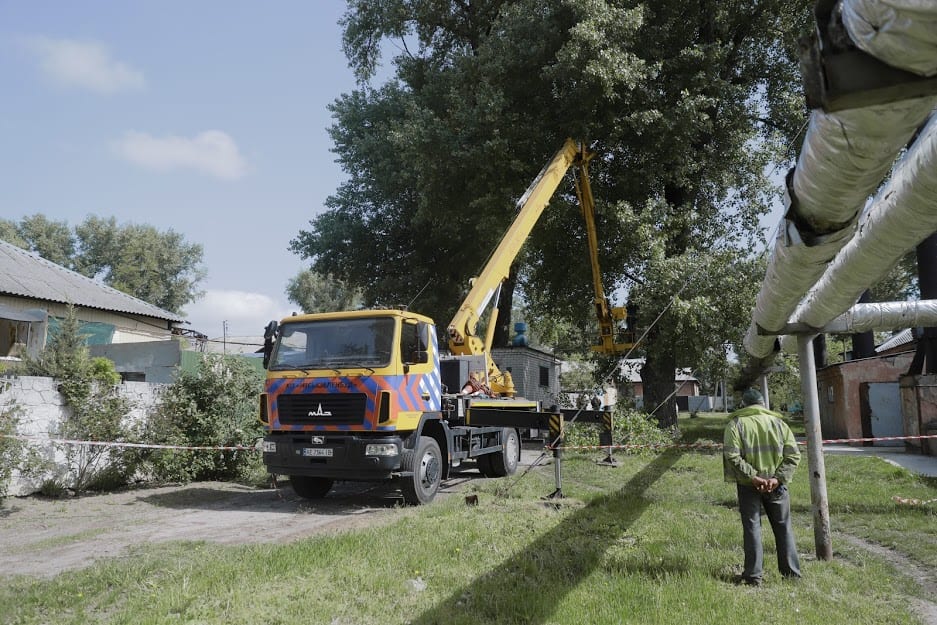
(760, 456)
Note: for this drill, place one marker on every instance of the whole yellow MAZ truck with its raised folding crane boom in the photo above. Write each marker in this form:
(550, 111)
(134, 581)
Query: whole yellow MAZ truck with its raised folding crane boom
(366, 395)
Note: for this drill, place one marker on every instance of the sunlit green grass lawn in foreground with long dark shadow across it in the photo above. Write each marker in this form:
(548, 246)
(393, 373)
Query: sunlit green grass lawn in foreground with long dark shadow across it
(652, 541)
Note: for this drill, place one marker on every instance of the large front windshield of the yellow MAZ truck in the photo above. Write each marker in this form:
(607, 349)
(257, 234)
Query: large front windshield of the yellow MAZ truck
(334, 344)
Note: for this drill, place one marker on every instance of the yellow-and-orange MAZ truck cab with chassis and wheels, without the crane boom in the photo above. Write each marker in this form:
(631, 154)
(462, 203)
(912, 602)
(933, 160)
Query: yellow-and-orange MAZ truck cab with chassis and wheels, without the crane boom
(357, 396)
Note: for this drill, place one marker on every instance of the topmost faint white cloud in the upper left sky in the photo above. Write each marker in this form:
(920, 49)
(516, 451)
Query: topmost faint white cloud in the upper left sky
(84, 64)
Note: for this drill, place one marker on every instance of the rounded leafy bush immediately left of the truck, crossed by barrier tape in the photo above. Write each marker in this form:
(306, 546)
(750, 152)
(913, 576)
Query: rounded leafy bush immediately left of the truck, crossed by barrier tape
(216, 405)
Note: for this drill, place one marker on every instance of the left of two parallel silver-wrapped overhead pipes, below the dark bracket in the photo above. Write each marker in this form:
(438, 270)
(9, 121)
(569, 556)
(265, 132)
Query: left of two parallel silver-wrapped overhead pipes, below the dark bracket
(845, 156)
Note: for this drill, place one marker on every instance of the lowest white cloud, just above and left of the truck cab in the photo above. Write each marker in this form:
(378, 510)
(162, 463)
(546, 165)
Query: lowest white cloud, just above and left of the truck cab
(246, 313)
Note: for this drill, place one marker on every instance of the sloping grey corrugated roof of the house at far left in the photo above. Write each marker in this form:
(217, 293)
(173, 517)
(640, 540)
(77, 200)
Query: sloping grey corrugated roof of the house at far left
(27, 275)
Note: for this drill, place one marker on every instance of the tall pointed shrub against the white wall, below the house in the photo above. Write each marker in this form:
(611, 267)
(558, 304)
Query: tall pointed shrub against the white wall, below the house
(96, 410)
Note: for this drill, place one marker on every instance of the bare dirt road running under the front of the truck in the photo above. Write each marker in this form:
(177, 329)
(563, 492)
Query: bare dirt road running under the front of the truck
(42, 537)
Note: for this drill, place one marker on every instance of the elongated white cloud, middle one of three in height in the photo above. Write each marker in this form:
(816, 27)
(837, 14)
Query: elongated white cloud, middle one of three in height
(212, 152)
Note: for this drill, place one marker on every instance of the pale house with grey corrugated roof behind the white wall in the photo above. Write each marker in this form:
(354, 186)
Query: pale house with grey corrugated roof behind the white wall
(35, 293)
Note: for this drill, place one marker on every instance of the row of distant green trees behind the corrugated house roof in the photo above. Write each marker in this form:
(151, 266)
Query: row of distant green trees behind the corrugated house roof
(160, 268)
